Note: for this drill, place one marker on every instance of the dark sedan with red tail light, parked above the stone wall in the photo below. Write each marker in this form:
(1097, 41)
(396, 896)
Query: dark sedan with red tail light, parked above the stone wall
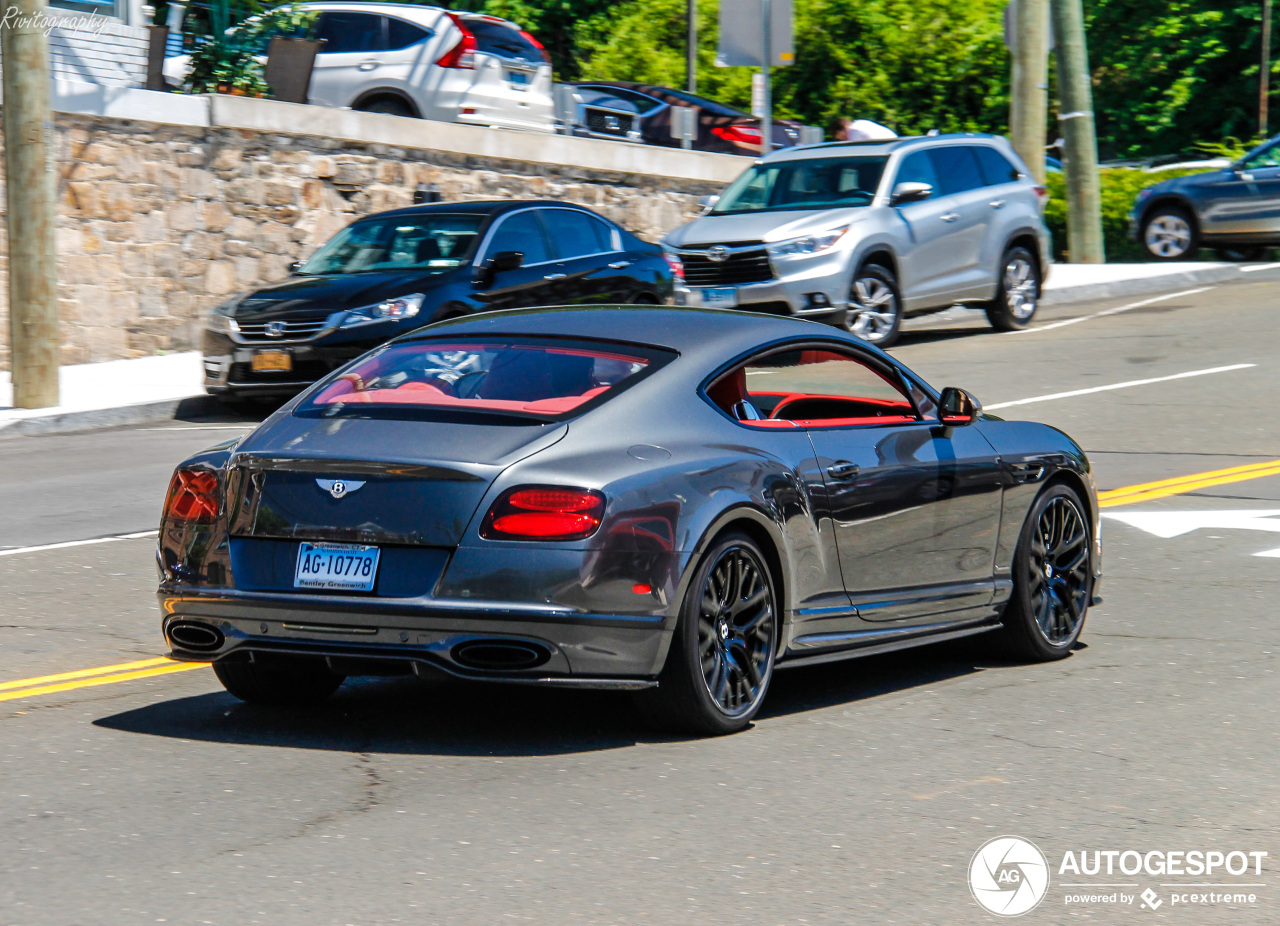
(641, 112)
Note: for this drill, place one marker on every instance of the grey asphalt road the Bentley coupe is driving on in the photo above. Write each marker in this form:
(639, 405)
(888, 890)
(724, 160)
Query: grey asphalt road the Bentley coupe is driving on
(860, 796)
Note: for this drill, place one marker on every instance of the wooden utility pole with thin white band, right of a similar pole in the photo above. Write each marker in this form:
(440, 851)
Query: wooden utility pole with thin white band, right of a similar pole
(1081, 163)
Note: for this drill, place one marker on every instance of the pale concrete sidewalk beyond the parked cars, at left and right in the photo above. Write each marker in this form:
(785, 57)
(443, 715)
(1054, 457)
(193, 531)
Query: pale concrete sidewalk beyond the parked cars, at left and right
(122, 393)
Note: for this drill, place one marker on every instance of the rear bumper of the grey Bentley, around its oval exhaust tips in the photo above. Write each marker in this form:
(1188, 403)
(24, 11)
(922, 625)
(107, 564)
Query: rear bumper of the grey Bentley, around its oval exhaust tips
(582, 650)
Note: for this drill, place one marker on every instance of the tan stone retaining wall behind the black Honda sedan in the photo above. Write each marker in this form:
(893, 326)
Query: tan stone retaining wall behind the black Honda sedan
(159, 222)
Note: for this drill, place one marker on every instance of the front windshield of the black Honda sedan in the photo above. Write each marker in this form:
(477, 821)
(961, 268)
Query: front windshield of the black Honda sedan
(433, 243)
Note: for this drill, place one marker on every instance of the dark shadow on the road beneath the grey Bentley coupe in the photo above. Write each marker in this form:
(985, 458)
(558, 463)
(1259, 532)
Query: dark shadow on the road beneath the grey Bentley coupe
(410, 717)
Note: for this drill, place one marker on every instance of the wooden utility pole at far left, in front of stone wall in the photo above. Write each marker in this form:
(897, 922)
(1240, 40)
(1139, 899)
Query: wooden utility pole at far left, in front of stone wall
(29, 142)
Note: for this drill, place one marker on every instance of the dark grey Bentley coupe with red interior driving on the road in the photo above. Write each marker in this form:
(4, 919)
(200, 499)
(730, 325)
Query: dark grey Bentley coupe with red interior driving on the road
(674, 501)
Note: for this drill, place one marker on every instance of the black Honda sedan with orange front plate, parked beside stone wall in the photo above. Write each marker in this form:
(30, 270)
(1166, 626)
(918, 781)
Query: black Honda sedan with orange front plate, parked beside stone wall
(394, 272)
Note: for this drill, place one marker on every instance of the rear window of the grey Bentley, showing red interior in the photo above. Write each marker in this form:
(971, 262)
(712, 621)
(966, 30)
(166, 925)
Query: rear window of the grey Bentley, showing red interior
(528, 378)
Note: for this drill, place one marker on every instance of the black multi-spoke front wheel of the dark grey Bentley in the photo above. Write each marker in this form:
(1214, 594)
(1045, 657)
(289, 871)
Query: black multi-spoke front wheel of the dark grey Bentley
(1053, 578)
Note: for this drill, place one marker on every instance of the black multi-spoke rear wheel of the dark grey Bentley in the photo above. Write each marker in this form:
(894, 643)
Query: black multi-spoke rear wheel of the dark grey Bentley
(721, 659)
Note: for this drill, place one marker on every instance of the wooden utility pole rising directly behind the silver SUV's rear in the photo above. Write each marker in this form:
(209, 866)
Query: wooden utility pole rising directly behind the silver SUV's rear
(1028, 107)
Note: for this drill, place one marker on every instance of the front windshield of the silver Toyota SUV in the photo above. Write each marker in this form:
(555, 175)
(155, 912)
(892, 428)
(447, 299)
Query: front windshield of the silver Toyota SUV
(804, 184)
